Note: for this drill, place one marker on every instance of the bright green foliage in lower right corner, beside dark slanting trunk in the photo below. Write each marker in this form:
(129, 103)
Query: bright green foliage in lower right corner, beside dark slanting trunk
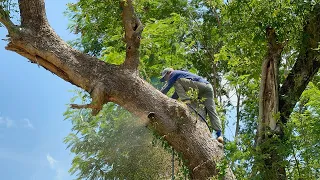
(305, 127)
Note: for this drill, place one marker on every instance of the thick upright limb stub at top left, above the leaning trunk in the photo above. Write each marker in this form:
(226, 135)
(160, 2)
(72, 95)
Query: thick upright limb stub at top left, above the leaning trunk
(33, 14)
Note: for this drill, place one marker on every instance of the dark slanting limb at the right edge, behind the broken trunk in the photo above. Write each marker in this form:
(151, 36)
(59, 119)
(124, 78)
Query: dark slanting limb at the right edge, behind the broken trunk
(306, 66)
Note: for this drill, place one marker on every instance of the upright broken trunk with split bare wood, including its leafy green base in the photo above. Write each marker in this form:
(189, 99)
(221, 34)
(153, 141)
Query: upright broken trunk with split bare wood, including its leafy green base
(269, 161)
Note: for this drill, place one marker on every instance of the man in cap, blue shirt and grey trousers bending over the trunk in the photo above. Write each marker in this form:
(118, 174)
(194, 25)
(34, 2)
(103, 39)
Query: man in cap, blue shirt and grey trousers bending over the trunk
(183, 82)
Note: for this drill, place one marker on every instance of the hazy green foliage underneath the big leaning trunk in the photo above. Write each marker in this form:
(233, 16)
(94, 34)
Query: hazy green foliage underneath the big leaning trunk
(114, 145)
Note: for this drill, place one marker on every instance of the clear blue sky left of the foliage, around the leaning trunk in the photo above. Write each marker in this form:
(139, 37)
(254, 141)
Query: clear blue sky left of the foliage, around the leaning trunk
(32, 127)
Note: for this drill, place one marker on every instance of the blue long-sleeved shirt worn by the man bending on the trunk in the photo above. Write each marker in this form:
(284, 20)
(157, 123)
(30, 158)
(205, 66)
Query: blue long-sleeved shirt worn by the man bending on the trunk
(177, 74)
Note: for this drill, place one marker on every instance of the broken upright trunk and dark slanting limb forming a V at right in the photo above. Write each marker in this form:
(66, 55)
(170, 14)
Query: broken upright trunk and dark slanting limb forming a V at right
(276, 104)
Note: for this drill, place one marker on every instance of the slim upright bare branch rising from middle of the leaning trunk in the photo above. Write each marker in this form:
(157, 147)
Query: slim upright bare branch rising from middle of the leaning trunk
(133, 29)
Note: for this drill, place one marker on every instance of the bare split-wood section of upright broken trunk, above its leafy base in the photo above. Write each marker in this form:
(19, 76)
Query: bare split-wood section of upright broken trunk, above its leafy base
(268, 98)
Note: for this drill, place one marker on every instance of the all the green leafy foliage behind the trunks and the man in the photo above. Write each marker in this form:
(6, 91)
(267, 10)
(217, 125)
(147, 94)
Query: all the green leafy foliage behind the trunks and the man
(222, 41)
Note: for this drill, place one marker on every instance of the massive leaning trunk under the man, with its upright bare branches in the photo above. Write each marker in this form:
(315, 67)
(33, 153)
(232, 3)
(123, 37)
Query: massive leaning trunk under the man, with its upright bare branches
(37, 41)
